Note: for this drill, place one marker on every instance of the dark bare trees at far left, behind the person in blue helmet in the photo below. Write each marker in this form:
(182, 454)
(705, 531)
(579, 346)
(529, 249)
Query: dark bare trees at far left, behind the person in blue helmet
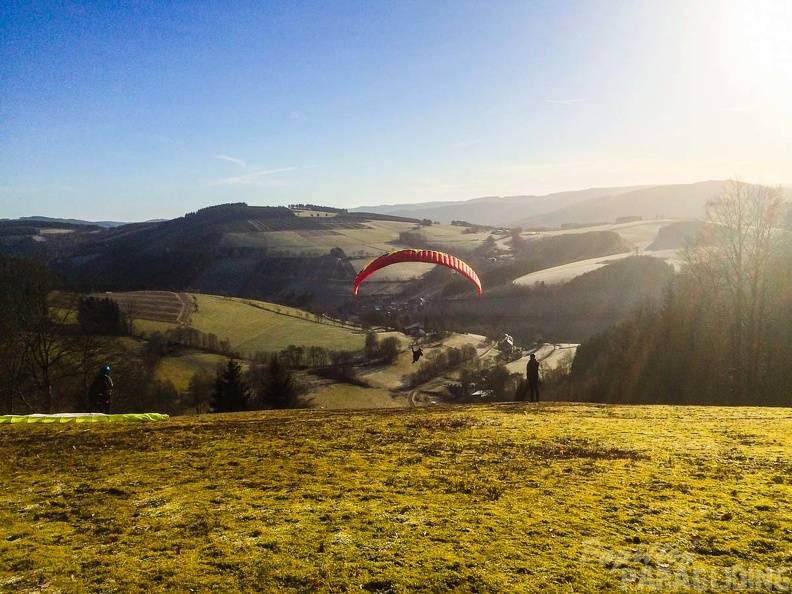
(52, 344)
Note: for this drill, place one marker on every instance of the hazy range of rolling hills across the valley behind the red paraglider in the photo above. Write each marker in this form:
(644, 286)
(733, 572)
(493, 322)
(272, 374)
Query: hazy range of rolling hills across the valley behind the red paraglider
(308, 258)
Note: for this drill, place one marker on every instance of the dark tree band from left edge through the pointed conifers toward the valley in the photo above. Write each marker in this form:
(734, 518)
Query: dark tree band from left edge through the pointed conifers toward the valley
(54, 342)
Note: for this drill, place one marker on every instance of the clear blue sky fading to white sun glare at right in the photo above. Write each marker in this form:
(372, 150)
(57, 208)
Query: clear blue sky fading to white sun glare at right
(131, 111)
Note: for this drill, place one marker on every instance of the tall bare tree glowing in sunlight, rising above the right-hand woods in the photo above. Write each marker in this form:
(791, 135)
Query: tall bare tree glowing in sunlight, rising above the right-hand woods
(731, 260)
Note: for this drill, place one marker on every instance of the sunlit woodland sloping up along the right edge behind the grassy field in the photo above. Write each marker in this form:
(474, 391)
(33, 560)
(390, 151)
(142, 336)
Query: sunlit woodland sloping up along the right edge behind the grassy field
(721, 333)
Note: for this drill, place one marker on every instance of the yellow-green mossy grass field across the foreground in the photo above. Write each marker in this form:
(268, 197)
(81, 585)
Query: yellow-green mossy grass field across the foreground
(498, 498)
